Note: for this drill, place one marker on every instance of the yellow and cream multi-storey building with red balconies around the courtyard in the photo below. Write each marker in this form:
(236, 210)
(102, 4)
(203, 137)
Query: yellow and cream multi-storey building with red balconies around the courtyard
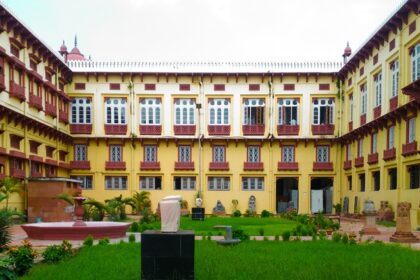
(301, 135)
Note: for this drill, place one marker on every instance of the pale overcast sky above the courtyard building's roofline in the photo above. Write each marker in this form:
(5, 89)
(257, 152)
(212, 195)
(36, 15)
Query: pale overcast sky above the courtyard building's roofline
(205, 30)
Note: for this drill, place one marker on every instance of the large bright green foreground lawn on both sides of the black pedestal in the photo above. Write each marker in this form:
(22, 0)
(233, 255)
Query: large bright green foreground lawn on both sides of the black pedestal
(249, 260)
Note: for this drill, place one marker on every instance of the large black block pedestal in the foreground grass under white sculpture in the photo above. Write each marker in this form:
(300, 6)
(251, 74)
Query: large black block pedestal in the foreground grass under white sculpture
(167, 255)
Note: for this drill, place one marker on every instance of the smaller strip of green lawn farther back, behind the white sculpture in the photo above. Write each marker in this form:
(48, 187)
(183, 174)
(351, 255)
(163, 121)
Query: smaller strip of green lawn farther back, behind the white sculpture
(252, 226)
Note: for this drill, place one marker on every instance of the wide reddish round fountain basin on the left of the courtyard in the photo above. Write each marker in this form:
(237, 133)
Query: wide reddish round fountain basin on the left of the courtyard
(66, 230)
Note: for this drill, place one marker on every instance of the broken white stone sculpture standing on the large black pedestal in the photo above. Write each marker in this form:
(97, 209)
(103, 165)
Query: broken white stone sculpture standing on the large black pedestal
(170, 212)
